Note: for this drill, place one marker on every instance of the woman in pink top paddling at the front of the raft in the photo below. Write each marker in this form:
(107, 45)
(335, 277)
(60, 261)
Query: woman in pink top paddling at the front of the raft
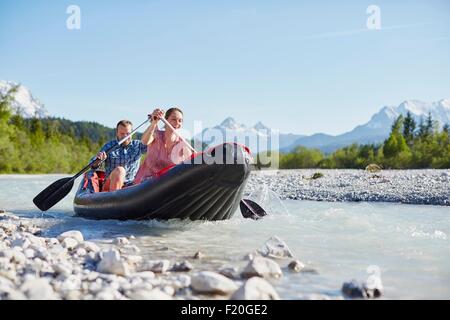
(165, 148)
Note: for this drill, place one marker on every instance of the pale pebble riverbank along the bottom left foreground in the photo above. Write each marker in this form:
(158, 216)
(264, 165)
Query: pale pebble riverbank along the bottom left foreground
(68, 267)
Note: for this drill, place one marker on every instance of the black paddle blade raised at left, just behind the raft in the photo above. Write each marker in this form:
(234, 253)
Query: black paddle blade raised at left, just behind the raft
(53, 193)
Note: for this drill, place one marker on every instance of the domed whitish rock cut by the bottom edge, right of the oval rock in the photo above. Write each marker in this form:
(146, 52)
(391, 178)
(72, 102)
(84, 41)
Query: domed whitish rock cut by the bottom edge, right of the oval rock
(256, 289)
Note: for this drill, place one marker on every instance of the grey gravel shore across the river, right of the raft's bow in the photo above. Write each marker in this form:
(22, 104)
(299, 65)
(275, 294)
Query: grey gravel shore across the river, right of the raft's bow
(404, 186)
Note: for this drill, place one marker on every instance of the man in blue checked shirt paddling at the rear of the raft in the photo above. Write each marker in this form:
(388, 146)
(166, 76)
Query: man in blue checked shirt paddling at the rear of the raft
(122, 164)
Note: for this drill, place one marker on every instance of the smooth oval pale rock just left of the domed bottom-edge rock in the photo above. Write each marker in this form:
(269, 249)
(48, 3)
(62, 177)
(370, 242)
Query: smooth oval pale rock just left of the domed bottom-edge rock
(212, 283)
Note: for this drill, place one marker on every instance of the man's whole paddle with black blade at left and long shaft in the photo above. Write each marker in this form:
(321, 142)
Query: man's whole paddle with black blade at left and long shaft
(55, 192)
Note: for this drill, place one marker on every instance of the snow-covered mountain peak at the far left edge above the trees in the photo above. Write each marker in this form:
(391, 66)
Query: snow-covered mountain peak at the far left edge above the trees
(23, 103)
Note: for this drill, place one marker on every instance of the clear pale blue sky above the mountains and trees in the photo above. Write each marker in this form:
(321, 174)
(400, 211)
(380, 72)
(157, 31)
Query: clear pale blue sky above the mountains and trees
(297, 66)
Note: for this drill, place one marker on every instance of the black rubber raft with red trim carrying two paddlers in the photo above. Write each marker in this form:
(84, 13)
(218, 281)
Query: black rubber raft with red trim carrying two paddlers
(209, 186)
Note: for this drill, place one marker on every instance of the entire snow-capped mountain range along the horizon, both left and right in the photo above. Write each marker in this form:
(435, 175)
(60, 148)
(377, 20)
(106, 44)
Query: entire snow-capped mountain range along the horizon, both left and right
(260, 137)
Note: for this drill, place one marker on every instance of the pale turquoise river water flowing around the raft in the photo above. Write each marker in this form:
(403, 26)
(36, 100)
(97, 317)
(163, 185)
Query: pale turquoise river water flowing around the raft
(408, 244)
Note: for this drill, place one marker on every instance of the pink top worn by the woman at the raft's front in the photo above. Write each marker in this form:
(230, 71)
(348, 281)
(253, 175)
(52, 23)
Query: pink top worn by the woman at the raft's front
(159, 158)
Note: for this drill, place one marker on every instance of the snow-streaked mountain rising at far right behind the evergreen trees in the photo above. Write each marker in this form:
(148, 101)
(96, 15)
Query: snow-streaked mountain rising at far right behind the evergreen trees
(378, 127)
